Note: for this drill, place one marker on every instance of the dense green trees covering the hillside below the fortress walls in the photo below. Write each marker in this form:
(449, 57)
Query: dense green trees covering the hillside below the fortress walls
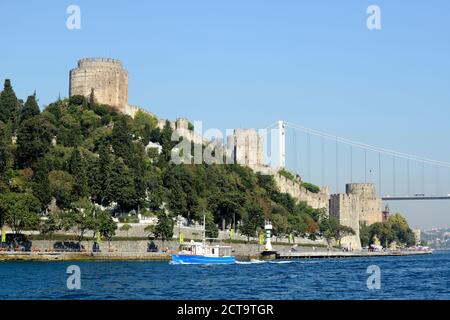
(83, 155)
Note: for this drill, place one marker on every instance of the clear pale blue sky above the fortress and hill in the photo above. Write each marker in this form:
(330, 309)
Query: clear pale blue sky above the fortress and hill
(249, 63)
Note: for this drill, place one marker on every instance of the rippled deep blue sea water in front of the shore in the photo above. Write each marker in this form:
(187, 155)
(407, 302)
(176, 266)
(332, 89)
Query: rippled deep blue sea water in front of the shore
(410, 277)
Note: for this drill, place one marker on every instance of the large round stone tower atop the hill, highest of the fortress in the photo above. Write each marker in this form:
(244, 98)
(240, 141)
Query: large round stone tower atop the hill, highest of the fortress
(106, 76)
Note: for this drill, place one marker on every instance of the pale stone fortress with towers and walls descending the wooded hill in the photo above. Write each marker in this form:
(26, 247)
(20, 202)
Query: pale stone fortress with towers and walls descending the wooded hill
(359, 204)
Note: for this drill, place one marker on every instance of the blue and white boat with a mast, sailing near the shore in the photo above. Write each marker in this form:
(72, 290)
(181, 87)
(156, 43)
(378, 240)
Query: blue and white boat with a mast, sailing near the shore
(202, 253)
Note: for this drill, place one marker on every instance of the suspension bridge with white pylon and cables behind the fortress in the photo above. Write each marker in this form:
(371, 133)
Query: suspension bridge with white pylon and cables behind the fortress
(329, 160)
